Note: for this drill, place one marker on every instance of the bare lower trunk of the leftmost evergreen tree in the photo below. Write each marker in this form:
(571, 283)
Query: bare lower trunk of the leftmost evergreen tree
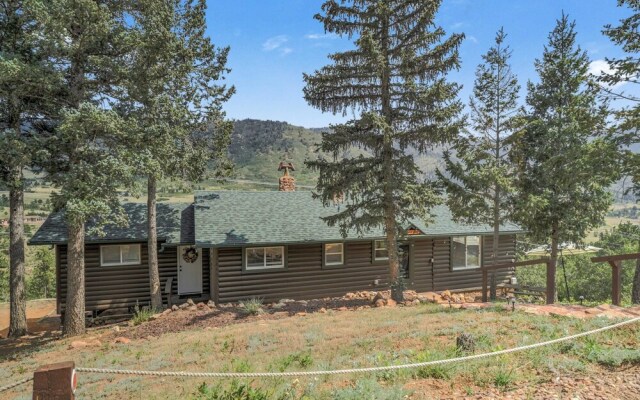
(17, 311)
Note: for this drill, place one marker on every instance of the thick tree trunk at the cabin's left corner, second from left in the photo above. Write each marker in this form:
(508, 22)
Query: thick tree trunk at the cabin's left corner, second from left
(74, 318)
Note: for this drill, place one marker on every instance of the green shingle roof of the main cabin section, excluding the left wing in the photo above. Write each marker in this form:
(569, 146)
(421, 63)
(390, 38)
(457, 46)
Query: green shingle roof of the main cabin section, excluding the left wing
(236, 218)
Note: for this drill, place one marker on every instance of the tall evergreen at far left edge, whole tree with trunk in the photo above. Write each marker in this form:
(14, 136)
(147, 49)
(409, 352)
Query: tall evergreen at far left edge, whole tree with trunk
(25, 79)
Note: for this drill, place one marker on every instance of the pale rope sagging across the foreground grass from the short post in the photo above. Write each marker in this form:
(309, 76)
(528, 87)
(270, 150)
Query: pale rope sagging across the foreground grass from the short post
(352, 370)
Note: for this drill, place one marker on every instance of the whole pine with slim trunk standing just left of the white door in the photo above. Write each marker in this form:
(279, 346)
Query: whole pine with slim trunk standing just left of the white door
(173, 99)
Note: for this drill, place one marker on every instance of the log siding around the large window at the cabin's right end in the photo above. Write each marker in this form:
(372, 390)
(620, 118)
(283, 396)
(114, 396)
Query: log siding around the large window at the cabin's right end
(446, 279)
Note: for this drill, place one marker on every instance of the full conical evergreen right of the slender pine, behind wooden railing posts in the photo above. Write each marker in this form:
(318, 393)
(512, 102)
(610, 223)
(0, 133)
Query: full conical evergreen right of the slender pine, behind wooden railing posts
(565, 164)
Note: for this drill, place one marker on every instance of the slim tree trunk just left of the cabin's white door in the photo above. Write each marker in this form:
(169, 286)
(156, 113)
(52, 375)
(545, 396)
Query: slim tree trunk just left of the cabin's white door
(152, 244)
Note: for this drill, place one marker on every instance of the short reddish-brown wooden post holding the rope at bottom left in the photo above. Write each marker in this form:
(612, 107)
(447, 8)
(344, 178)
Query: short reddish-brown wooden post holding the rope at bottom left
(55, 382)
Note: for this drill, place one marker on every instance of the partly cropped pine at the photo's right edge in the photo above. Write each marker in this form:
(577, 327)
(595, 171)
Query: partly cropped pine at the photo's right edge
(626, 71)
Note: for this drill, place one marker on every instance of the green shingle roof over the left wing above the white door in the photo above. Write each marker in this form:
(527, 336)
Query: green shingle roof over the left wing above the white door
(175, 226)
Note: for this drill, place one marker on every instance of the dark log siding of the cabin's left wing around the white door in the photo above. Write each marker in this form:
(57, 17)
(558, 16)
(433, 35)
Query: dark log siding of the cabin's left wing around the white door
(123, 286)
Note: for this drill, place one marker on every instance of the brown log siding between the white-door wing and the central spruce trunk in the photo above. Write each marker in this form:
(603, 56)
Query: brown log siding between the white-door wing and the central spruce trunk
(304, 277)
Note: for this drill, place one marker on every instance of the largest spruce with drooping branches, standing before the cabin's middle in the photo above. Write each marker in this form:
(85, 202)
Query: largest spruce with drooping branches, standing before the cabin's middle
(395, 79)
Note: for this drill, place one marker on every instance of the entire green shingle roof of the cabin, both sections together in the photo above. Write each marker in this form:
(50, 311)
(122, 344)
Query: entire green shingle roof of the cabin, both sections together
(237, 218)
